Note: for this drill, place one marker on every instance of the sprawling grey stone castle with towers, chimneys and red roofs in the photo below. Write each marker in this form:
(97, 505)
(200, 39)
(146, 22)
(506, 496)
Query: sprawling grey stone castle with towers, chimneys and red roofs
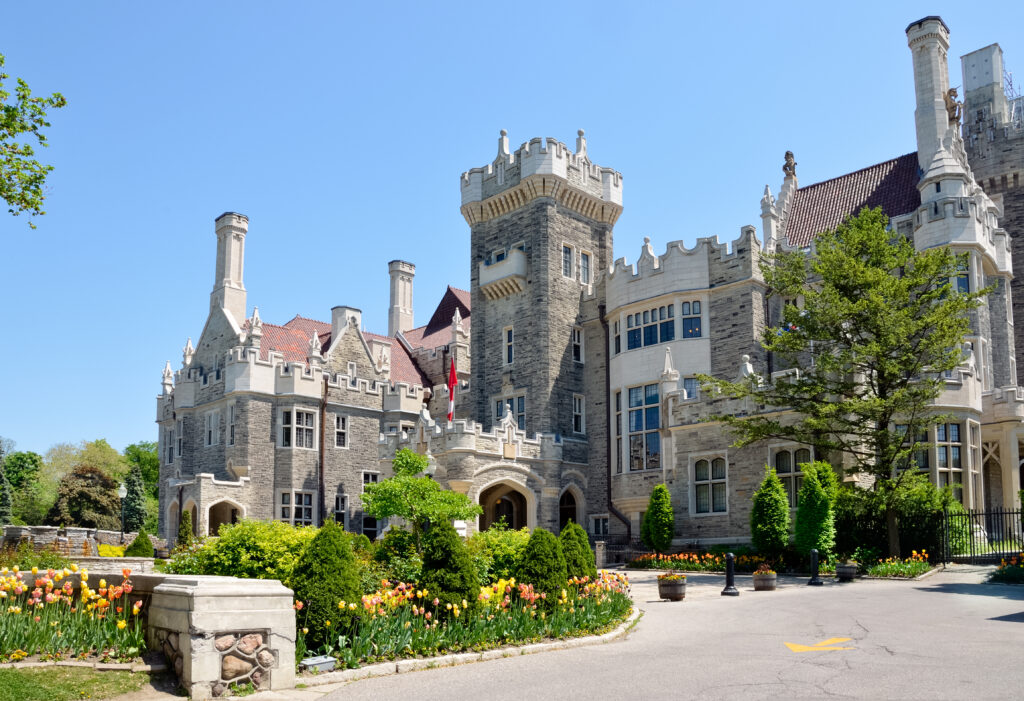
(577, 389)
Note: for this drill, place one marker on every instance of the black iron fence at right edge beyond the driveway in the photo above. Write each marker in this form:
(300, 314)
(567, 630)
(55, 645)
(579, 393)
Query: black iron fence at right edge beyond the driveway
(983, 538)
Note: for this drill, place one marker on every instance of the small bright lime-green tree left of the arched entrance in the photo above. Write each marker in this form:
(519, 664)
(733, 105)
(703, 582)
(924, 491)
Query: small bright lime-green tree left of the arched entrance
(420, 501)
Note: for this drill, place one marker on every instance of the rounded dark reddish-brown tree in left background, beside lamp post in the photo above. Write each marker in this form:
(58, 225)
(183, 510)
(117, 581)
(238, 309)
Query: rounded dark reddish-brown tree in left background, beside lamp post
(87, 498)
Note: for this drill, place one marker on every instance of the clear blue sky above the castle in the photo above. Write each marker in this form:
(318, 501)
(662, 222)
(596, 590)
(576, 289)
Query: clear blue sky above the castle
(342, 129)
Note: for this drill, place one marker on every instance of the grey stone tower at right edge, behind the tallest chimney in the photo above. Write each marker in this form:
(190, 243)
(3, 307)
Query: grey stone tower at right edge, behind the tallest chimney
(994, 136)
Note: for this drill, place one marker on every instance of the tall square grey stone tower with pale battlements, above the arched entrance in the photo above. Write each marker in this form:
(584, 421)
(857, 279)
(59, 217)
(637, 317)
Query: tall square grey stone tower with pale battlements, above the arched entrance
(541, 223)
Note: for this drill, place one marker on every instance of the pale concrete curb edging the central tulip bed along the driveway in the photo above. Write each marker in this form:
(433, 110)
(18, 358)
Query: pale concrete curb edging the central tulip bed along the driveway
(416, 665)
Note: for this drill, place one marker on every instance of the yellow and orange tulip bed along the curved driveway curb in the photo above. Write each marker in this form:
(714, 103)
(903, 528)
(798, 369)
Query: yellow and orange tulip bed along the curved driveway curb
(404, 622)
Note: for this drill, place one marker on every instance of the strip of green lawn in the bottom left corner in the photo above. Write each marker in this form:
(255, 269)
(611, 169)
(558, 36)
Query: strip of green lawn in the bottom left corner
(66, 684)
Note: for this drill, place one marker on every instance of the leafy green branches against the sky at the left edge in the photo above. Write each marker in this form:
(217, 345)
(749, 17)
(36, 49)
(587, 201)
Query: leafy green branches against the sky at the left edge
(22, 121)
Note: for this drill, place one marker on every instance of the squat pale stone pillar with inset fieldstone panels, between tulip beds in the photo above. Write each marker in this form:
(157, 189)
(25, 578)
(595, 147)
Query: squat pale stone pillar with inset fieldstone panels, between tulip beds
(221, 630)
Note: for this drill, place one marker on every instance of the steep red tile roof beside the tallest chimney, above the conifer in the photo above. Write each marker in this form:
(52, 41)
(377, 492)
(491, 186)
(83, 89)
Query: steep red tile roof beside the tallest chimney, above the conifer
(891, 186)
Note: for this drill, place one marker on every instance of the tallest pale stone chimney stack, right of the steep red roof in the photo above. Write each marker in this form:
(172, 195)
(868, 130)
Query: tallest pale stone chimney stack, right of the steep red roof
(929, 41)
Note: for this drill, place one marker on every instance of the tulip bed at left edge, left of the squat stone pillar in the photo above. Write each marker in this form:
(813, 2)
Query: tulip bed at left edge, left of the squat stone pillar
(41, 615)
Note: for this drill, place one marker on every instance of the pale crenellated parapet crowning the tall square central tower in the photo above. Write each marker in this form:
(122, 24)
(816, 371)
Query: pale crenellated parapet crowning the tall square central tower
(542, 168)
